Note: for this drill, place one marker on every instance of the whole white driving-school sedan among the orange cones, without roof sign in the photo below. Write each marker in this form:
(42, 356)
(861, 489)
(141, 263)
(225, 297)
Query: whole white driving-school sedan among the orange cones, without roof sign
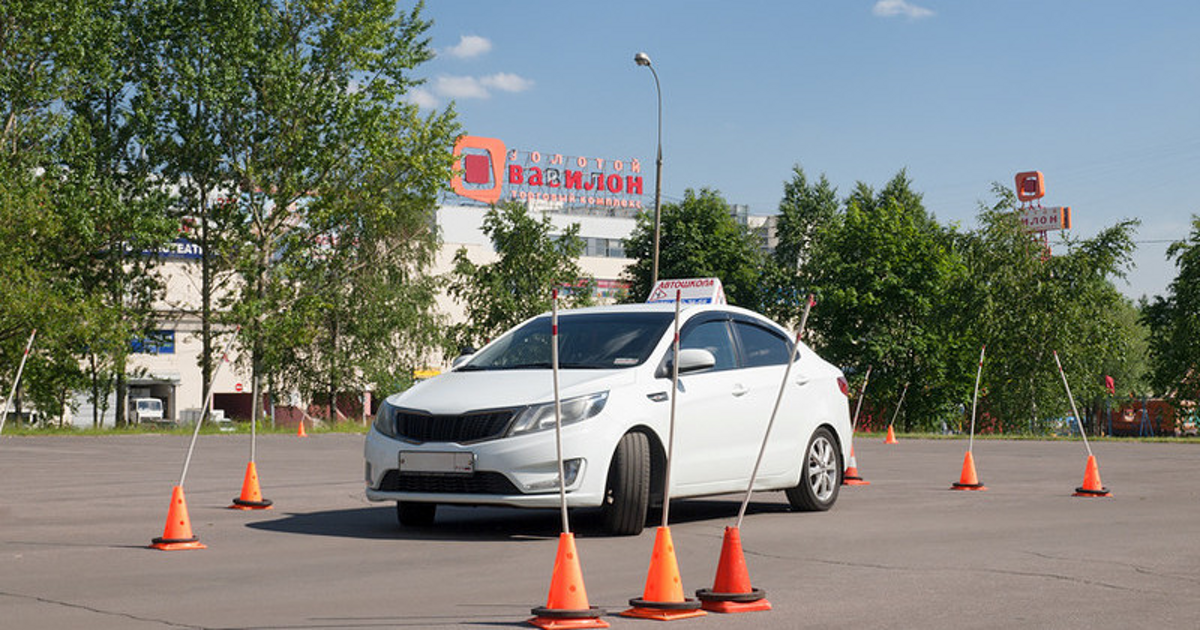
(484, 433)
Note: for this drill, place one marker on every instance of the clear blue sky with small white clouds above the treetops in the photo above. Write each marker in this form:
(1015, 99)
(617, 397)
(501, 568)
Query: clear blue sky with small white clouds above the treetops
(1102, 97)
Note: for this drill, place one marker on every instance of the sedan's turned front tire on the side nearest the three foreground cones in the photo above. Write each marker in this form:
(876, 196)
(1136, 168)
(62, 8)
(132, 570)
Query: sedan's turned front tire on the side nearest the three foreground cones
(627, 496)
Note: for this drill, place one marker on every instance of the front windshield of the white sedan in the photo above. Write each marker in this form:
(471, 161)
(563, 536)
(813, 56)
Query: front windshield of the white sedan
(586, 341)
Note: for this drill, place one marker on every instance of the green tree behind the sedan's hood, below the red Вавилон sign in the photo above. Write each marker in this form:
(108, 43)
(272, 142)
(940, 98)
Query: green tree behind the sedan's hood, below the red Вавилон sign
(532, 262)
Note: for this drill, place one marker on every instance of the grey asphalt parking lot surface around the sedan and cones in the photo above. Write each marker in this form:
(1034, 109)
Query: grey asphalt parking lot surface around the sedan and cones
(905, 553)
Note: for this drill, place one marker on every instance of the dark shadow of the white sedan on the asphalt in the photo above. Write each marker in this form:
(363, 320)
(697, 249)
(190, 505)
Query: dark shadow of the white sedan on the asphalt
(457, 523)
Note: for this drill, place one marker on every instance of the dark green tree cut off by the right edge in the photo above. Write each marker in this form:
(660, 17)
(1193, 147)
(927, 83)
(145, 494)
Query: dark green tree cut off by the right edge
(1174, 323)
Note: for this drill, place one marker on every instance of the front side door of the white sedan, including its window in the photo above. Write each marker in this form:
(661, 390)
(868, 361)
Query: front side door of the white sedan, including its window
(715, 434)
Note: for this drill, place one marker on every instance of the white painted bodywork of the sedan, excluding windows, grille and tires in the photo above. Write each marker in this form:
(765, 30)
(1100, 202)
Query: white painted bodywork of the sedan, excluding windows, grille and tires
(721, 421)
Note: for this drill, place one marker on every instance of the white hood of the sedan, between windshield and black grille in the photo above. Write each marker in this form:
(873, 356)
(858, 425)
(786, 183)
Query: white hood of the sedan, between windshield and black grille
(457, 393)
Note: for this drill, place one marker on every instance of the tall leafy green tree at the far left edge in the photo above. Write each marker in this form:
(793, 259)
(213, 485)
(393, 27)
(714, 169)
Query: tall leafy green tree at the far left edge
(73, 157)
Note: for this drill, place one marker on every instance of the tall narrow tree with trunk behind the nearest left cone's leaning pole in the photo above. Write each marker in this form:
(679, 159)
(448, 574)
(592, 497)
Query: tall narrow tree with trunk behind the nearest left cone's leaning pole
(191, 93)
